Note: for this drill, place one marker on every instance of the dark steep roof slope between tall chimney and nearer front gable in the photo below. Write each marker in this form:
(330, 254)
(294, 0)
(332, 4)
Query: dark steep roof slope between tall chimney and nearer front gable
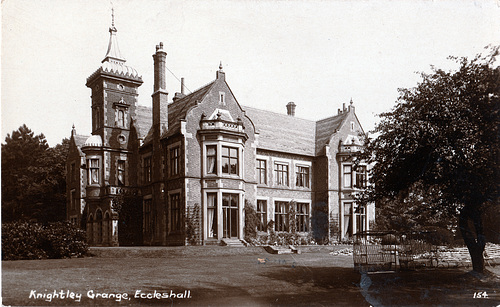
(177, 110)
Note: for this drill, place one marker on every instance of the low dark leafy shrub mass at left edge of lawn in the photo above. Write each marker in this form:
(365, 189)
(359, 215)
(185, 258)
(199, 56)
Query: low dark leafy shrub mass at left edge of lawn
(26, 241)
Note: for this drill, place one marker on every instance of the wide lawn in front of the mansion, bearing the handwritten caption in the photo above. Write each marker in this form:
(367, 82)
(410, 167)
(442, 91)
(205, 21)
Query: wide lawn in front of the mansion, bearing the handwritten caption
(221, 276)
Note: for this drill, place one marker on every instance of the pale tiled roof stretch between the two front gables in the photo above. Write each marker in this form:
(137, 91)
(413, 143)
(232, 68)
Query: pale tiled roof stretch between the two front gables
(280, 132)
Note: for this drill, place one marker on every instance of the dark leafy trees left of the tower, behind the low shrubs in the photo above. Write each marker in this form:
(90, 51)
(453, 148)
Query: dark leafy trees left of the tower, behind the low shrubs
(33, 177)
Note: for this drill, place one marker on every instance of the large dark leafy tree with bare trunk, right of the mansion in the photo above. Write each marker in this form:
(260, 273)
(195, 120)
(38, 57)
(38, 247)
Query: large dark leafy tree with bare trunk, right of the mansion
(440, 143)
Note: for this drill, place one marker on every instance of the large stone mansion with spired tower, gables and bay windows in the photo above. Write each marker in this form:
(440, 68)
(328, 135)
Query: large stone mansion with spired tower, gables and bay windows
(194, 162)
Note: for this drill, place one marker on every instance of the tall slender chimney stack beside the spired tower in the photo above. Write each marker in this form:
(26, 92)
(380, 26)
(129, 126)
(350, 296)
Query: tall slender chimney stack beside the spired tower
(160, 94)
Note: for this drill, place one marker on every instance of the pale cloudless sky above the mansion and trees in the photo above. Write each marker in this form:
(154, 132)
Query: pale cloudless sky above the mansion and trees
(318, 54)
